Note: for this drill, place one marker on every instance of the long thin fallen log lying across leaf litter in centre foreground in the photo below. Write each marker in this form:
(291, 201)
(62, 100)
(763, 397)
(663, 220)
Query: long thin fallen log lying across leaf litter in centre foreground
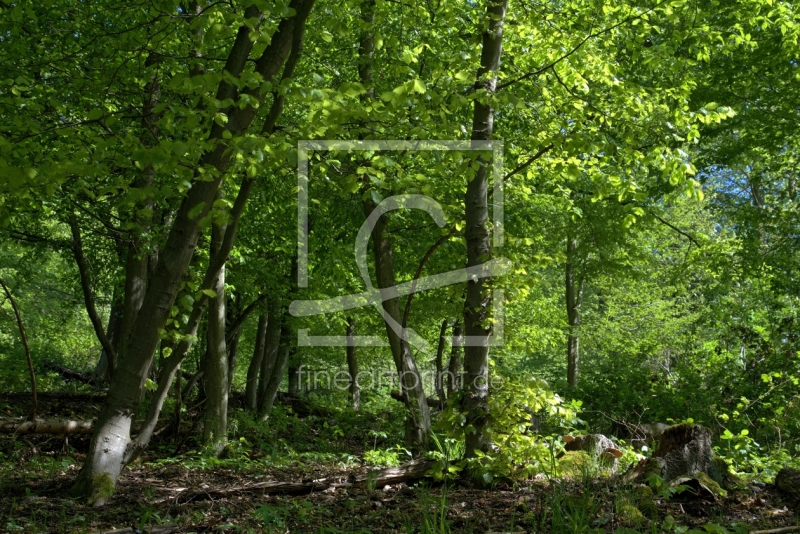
(393, 475)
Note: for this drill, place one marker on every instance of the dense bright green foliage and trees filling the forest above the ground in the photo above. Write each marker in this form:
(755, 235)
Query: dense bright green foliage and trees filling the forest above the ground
(645, 160)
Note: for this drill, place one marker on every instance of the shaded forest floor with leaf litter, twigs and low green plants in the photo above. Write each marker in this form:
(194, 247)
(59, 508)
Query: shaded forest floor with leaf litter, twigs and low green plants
(190, 492)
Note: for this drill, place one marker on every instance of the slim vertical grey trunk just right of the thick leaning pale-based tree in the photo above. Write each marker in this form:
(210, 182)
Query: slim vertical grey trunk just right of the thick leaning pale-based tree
(215, 368)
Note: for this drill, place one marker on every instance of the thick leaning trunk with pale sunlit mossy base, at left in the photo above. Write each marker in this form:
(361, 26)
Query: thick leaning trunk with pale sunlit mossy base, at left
(108, 449)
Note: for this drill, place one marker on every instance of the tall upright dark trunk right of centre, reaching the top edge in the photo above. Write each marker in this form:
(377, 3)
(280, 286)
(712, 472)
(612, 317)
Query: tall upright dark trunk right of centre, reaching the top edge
(476, 206)
